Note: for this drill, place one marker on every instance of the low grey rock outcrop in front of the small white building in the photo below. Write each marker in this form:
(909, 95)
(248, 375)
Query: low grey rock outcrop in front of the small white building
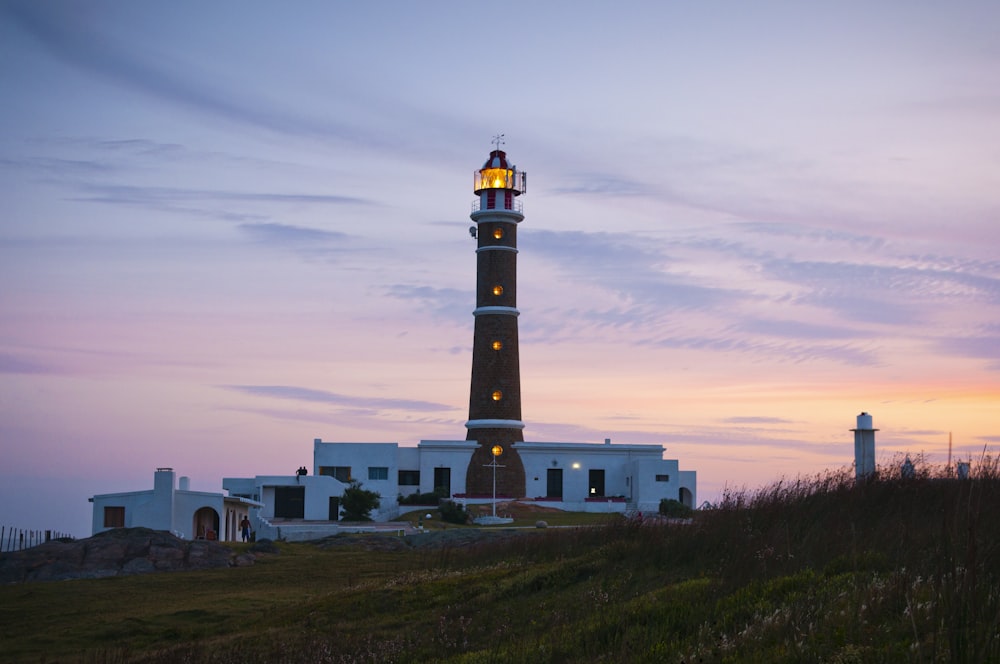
(116, 552)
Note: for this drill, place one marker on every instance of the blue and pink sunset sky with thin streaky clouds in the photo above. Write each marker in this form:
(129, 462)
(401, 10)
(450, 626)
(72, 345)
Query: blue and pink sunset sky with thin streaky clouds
(229, 228)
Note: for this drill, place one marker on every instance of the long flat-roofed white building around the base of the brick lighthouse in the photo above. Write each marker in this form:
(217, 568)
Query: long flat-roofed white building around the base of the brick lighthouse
(579, 477)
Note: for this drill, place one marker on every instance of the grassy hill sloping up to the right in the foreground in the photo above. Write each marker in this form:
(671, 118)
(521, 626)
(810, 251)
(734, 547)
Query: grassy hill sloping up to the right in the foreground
(814, 570)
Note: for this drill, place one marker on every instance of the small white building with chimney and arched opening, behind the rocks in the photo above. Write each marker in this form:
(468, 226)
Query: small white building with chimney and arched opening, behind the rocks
(167, 506)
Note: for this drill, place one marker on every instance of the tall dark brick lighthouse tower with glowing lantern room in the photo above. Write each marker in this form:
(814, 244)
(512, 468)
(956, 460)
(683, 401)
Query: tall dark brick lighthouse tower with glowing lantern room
(495, 393)
